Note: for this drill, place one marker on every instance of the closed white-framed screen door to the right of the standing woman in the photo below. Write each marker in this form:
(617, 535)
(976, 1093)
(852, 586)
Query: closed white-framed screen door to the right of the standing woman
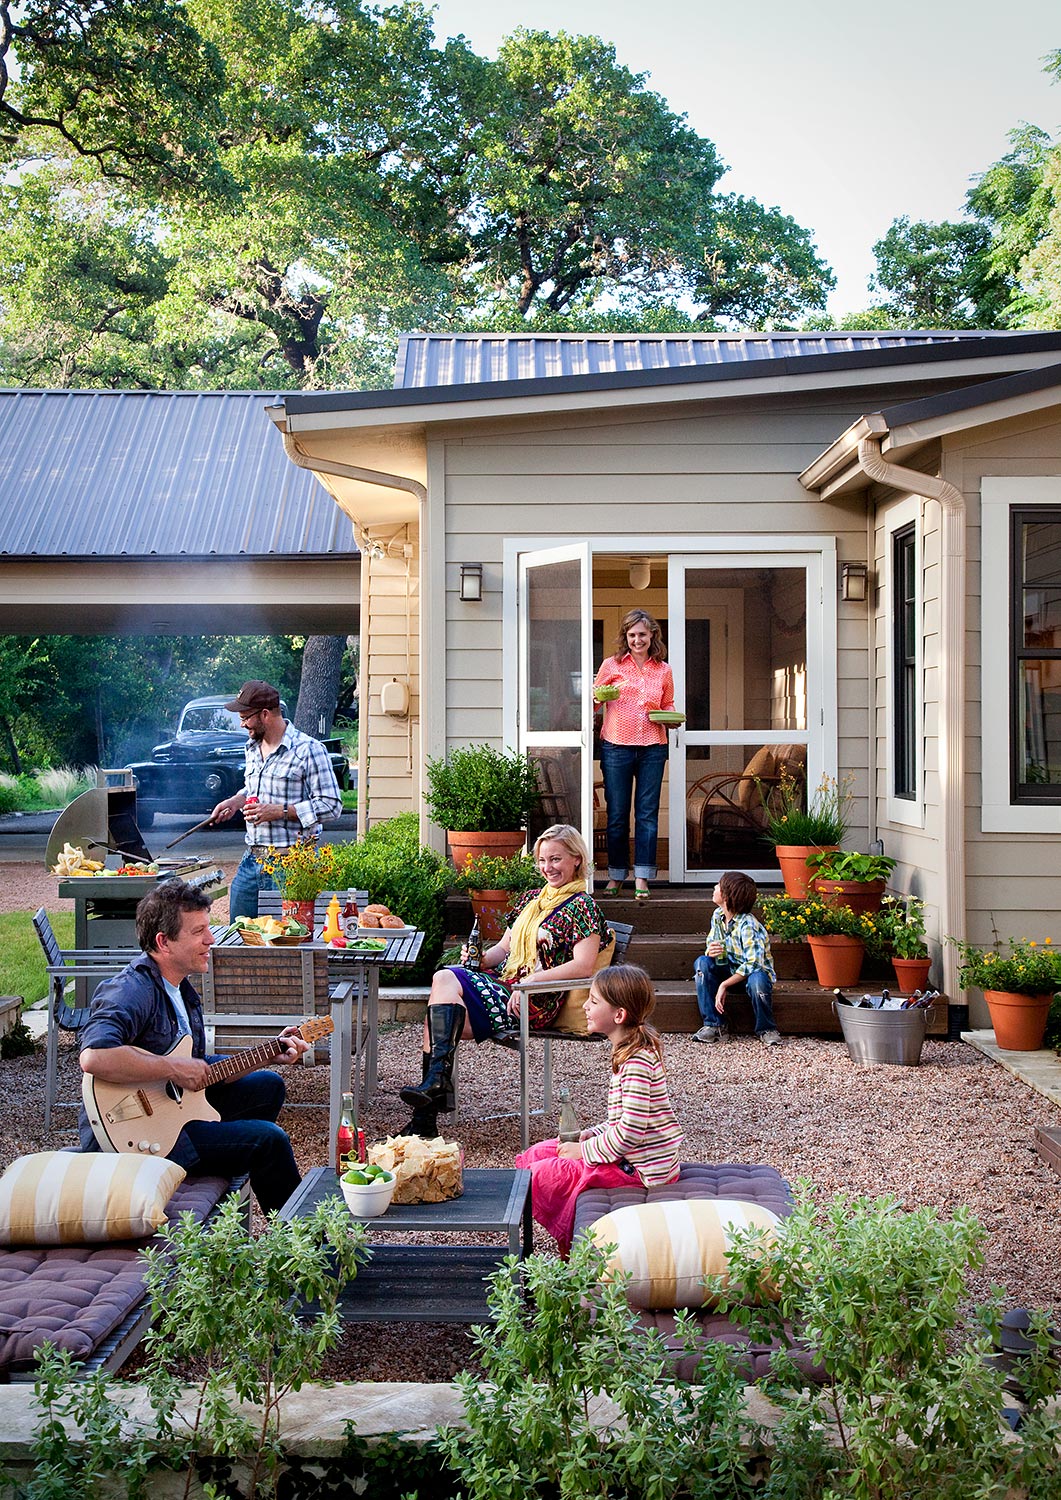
(745, 649)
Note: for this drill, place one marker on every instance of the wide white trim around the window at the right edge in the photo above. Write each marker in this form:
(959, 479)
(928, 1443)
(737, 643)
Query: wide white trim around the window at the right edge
(999, 496)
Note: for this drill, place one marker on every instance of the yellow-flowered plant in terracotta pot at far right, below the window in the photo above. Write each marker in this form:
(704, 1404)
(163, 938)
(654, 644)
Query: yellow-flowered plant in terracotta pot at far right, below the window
(1018, 986)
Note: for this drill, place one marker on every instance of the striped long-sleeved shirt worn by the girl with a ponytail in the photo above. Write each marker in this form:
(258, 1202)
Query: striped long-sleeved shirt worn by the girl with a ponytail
(642, 1124)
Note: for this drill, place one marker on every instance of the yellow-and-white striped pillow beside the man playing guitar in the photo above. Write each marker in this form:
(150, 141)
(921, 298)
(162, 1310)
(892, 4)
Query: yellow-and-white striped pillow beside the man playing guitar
(62, 1198)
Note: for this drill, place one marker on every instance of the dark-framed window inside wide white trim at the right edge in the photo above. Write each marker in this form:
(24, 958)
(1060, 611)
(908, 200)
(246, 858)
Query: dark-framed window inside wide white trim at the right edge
(1036, 656)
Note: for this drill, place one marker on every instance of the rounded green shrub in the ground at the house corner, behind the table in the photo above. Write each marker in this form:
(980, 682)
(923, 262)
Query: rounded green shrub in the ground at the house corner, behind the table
(395, 869)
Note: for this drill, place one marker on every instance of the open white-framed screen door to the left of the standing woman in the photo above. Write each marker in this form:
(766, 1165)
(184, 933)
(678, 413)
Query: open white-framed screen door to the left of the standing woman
(556, 677)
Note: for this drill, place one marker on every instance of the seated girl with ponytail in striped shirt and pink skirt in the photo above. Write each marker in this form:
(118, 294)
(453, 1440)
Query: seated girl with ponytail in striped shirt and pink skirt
(642, 1136)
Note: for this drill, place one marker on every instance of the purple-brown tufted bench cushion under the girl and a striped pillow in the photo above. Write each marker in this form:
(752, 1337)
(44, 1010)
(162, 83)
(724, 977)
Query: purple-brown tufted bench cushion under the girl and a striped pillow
(696, 1181)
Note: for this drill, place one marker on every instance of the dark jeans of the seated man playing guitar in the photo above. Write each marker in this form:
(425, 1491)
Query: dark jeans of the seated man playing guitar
(245, 1139)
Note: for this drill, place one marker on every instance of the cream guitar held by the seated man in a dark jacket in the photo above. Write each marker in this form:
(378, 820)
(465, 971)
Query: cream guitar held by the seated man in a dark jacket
(146, 1118)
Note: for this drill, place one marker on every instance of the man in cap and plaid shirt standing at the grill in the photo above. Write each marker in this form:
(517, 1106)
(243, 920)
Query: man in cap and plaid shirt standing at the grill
(289, 791)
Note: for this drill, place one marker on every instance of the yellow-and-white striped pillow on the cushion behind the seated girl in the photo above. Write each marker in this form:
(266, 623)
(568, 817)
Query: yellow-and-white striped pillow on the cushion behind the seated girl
(669, 1249)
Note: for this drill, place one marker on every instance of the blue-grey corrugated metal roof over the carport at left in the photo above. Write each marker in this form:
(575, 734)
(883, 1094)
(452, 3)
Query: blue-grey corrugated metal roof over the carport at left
(94, 473)
